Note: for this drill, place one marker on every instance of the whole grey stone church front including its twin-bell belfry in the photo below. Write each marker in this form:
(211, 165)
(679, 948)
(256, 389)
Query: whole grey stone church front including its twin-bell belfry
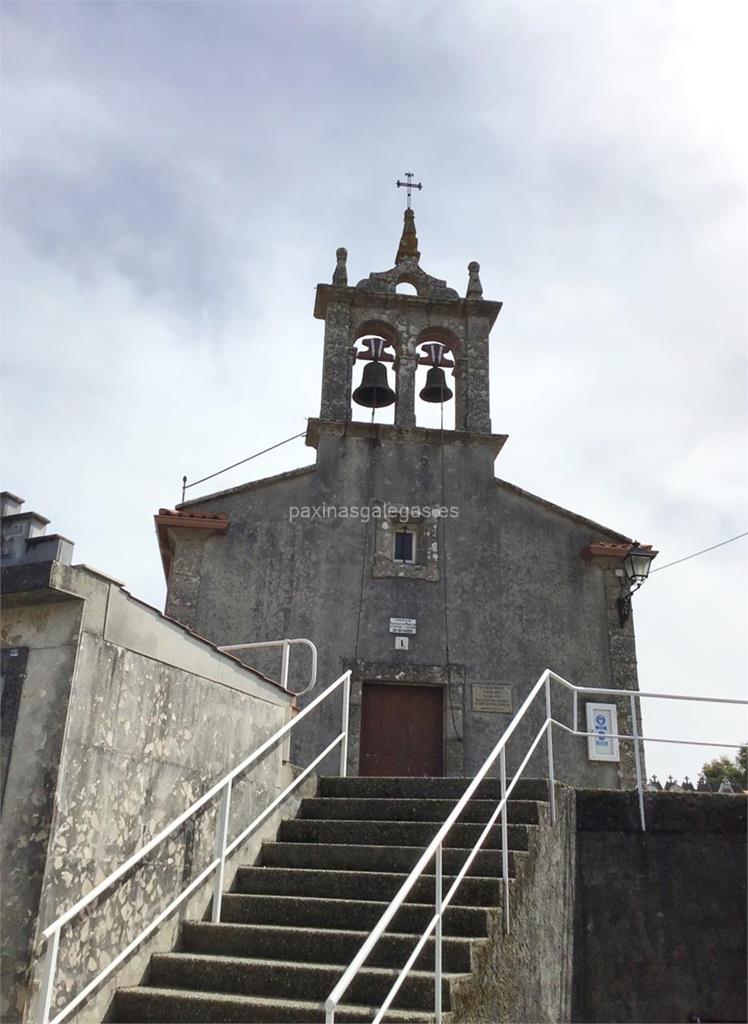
(445, 590)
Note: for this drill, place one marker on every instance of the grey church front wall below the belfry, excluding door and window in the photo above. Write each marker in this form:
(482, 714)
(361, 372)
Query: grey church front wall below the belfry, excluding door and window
(521, 598)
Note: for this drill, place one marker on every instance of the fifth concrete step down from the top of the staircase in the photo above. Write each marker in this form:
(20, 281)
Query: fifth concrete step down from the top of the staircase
(359, 885)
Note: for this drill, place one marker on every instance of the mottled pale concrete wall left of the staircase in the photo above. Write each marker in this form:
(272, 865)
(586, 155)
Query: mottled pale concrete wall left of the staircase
(124, 720)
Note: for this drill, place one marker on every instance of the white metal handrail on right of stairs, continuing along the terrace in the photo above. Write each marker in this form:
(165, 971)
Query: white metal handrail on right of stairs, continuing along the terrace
(435, 849)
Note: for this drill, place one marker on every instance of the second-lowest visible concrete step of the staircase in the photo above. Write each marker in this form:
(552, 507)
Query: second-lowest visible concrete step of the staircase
(309, 983)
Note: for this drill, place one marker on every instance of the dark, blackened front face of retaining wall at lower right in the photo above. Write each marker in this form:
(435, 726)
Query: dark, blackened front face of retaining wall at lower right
(660, 930)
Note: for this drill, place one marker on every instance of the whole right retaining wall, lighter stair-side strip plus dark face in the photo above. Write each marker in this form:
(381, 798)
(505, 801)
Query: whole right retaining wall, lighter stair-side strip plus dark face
(612, 924)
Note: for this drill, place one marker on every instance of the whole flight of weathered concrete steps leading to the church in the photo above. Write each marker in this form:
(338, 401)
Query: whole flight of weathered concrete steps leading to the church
(293, 924)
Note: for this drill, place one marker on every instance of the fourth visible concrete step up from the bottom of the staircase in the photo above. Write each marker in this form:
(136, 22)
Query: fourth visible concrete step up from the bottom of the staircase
(348, 915)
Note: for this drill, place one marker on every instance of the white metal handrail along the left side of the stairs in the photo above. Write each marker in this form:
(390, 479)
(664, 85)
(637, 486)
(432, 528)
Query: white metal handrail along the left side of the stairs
(224, 848)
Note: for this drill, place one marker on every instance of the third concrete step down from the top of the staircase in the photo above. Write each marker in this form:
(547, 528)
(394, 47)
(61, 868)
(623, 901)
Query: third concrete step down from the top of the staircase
(396, 833)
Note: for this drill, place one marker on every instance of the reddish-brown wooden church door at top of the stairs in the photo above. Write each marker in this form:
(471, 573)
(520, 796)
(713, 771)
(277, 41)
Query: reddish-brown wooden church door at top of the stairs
(401, 731)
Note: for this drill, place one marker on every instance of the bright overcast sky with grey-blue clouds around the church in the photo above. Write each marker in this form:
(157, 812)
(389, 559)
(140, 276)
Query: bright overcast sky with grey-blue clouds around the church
(178, 178)
